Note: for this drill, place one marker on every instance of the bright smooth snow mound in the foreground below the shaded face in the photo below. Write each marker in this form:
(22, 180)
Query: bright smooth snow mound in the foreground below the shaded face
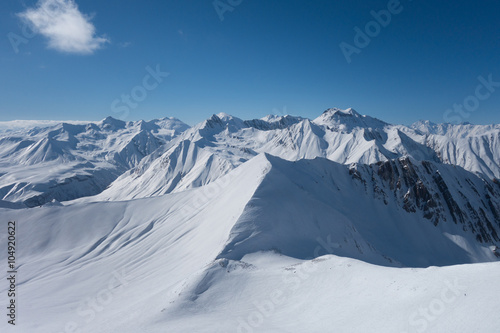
(276, 294)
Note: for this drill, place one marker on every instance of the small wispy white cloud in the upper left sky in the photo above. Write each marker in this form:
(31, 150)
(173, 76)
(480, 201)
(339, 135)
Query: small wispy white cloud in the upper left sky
(67, 29)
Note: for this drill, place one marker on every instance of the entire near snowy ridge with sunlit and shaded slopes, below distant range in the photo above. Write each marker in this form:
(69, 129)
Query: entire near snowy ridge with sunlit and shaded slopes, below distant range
(211, 259)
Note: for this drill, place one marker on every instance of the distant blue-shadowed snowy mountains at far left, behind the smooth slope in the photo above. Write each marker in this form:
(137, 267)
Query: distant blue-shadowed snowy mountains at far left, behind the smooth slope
(68, 161)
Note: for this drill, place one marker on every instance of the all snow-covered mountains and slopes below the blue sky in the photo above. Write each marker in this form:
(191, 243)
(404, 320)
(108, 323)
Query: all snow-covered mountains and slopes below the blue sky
(279, 224)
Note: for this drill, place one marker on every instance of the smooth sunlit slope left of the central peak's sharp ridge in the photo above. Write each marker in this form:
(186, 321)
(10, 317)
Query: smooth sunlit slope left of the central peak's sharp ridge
(72, 253)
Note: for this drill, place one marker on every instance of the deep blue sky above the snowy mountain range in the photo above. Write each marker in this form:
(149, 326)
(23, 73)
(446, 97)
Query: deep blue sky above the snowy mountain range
(265, 56)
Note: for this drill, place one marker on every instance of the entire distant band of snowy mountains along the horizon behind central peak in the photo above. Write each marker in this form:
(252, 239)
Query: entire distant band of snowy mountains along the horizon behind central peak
(116, 160)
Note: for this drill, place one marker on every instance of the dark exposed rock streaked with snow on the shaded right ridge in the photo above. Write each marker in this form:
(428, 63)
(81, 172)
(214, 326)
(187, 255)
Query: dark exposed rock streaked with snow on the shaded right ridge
(419, 187)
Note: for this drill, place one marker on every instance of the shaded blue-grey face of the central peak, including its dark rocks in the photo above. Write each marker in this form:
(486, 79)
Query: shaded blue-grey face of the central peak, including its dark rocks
(391, 213)
